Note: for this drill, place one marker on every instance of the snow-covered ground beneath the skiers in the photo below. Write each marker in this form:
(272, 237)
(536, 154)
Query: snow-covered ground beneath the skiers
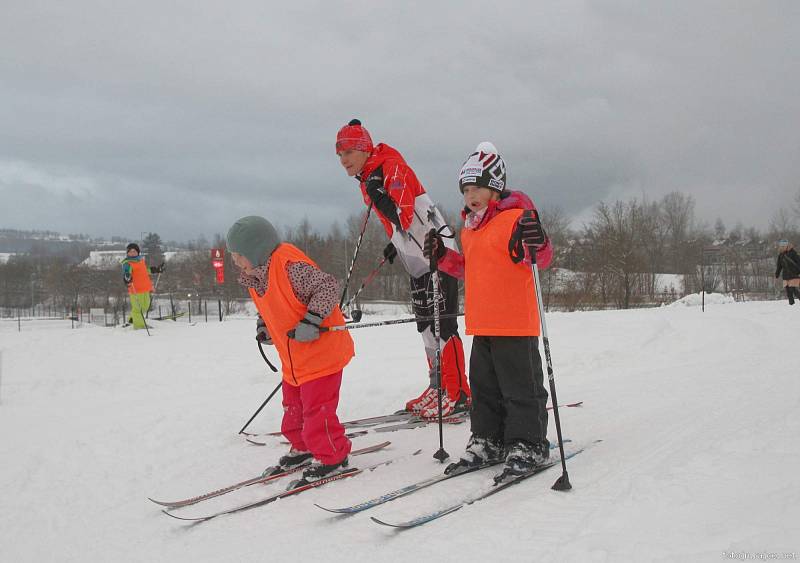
(698, 413)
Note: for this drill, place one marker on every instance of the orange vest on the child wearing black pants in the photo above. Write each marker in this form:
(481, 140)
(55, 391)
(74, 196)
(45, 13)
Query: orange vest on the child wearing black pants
(500, 298)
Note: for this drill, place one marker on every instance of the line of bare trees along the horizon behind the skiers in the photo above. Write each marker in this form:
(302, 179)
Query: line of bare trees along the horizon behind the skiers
(617, 259)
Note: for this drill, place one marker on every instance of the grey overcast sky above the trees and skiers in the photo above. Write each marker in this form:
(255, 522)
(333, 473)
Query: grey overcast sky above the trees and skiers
(179, 117)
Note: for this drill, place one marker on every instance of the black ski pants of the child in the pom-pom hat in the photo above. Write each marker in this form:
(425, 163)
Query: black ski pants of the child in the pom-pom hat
(509, 401)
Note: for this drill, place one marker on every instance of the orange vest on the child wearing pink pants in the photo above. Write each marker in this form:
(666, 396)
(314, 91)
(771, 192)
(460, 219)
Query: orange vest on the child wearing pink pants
(281, 311)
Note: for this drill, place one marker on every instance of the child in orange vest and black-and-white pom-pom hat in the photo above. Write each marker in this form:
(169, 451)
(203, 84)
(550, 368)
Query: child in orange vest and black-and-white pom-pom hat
(509, 401)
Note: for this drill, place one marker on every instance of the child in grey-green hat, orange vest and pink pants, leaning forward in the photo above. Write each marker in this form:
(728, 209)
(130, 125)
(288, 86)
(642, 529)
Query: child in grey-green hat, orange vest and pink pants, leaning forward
(293, 296)
